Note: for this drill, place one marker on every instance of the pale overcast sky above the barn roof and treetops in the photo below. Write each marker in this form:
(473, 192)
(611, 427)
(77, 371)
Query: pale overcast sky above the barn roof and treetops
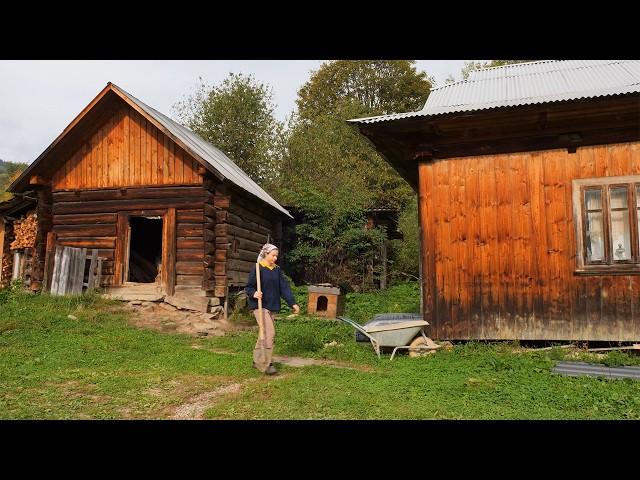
(38, 99)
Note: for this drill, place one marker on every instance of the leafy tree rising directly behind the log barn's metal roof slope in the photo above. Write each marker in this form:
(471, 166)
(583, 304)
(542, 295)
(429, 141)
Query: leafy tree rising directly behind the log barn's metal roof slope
(237, 117)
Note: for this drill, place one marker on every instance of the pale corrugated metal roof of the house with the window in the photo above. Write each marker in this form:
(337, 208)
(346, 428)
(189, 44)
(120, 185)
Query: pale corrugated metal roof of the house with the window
(526, 84)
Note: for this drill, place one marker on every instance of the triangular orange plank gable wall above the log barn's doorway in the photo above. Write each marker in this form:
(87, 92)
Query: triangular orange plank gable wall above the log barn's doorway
(126, 150)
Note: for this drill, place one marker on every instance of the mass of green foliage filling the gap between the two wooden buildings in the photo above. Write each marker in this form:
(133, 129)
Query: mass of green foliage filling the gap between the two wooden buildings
(335, 175)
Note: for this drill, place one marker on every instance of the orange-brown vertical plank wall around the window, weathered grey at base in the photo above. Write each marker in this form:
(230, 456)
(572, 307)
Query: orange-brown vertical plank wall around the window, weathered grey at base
(498, 244)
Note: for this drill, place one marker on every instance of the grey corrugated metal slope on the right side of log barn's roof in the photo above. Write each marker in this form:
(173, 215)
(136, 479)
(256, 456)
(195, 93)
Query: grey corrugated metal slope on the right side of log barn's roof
(207, 152)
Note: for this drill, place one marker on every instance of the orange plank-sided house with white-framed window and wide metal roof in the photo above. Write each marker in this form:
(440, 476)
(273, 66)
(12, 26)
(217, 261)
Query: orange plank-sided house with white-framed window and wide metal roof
(528, 178)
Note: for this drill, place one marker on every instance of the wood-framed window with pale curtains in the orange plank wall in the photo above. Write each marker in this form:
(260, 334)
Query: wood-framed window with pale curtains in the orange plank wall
(607, 218)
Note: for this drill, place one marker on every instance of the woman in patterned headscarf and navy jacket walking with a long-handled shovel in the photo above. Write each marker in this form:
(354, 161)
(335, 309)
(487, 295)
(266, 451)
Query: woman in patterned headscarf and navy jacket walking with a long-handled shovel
(274, 286)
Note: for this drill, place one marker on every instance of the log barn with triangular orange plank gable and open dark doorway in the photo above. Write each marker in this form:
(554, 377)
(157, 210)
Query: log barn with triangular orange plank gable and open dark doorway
(170, 213)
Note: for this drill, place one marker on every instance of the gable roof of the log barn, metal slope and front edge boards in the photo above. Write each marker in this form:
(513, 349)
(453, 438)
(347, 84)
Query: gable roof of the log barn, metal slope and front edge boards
(205, 153)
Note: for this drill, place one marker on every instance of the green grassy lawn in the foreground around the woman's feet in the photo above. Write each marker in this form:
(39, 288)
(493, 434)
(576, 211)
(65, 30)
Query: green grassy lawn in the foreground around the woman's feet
(98, 366)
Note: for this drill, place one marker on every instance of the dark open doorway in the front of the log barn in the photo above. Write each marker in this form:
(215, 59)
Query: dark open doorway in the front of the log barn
(145, 249)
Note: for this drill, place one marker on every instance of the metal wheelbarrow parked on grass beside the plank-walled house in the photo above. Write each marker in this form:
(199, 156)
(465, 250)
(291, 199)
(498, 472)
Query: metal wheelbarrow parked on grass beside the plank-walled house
(400, 331)
